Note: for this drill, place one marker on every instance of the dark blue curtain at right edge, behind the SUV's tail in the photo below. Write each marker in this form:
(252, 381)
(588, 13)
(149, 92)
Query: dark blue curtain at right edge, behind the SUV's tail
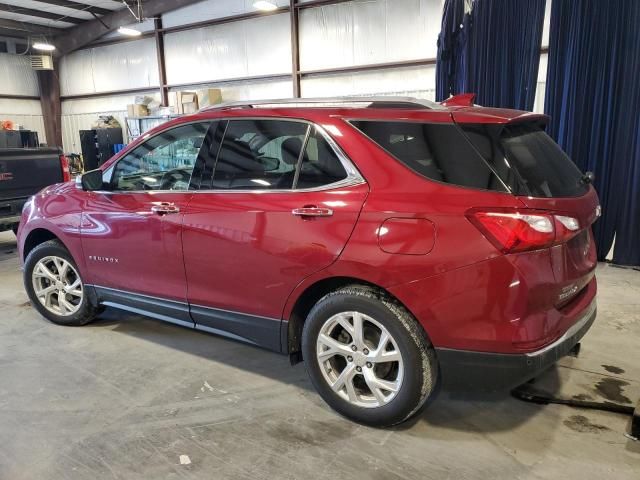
(593, 99)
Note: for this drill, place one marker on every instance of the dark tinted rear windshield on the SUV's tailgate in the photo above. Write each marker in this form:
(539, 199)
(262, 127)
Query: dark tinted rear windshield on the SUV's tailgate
(527, 159)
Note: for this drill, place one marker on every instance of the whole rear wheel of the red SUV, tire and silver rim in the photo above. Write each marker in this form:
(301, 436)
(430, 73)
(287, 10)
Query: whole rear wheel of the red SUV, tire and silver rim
(368, 357)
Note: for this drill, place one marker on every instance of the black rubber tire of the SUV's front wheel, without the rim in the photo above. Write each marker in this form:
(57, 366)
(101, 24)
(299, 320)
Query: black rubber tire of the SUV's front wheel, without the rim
(86, 312)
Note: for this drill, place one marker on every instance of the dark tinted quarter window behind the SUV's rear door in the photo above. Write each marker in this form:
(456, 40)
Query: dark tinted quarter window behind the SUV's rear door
(436, 151)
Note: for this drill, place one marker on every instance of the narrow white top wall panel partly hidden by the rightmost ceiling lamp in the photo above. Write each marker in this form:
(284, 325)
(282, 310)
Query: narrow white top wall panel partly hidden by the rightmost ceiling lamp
(211, 9)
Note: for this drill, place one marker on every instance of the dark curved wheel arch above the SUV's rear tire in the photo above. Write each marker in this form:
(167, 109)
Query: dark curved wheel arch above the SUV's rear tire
(292, 334)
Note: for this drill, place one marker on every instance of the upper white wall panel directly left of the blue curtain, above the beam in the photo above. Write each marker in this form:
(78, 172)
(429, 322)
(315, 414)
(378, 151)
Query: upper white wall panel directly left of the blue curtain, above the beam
(371, 31)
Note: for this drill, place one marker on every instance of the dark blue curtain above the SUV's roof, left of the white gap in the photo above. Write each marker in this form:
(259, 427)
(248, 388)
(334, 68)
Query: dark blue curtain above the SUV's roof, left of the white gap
(493, 52)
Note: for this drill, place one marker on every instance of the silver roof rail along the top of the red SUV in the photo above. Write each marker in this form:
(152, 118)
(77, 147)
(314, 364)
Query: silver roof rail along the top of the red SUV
(370, 102)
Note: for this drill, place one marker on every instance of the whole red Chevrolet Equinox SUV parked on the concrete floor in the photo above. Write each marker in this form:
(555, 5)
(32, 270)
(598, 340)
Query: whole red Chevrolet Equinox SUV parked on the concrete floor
(392, 244)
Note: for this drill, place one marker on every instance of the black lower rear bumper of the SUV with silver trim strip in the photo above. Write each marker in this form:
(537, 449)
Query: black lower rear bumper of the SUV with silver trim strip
(482, 371)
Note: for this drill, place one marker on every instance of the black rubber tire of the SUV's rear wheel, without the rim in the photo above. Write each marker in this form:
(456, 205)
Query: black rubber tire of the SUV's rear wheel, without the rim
(419, 358)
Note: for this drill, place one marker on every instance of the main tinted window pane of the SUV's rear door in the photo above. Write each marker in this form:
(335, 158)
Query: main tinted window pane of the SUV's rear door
(259, 154)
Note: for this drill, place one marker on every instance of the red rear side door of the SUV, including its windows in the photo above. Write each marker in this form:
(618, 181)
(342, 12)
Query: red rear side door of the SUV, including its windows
(279, 205)
